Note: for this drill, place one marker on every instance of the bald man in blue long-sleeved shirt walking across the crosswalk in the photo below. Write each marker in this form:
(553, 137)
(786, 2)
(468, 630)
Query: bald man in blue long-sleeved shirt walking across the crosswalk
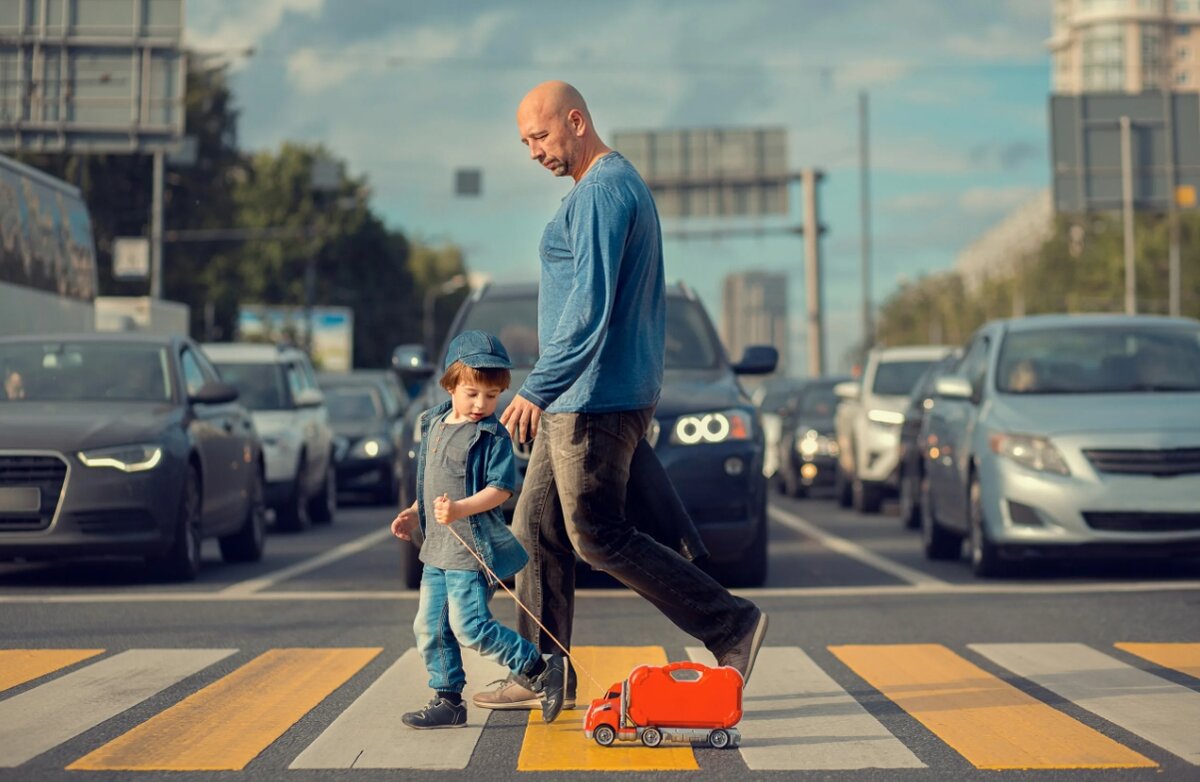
(591, 399)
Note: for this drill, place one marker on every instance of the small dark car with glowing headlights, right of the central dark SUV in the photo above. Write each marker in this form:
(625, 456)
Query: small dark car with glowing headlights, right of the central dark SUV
(808, 446)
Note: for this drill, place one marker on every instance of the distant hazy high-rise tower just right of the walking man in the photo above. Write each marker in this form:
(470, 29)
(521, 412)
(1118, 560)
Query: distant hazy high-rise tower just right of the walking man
(754, 311)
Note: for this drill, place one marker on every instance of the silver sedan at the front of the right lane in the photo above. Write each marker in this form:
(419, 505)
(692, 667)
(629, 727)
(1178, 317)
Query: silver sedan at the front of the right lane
(1061, 436)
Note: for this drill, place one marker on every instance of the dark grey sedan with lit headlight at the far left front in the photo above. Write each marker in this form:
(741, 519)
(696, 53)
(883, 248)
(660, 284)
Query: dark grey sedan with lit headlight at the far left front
(125, 446)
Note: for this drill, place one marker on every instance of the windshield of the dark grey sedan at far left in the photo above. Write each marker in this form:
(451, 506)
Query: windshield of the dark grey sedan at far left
(85, 371)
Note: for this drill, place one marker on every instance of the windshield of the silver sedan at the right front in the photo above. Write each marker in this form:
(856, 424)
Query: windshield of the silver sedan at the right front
(1123, 359)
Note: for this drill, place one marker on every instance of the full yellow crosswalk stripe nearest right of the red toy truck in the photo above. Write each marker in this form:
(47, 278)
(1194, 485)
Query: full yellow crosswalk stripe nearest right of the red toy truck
(988, 721)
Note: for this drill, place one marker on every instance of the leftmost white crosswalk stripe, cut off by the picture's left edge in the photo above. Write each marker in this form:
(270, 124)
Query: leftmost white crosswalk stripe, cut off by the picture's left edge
(40, 719)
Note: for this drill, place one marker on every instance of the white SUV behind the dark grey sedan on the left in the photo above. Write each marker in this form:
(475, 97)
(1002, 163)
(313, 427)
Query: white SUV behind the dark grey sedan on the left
(280, 388)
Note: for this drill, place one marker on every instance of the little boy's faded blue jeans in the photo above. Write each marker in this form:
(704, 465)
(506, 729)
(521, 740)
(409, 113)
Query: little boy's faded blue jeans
(453, 611)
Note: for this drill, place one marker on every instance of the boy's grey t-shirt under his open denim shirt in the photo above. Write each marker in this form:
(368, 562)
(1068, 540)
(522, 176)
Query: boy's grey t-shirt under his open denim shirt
(446, 473)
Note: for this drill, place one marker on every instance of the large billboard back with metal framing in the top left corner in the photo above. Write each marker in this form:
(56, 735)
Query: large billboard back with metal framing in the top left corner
(82, 76)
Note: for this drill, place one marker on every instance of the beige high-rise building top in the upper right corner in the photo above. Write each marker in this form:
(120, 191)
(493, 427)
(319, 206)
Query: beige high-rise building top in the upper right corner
(1125, 46)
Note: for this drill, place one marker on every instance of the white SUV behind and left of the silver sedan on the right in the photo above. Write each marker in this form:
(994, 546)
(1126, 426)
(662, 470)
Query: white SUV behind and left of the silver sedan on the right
(868, 424)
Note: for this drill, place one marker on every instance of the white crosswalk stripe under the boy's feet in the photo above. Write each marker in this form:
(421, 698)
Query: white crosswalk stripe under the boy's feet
(370, 736)
